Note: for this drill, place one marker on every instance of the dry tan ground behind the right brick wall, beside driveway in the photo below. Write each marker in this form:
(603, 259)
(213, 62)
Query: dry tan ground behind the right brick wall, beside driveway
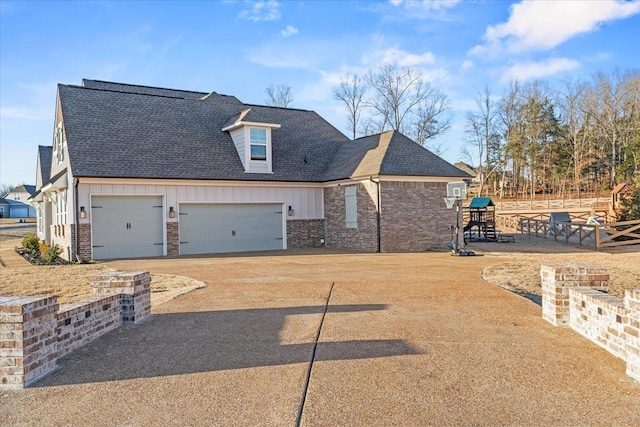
(521, 273)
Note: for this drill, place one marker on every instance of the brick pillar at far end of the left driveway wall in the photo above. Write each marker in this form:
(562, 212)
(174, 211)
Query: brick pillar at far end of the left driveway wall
(135, 289)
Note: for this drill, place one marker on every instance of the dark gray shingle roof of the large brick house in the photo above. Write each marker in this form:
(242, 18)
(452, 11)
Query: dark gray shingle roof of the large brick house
(126, 131)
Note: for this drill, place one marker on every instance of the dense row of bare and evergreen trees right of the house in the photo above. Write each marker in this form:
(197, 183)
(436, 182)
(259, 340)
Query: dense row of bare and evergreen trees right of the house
(580, 137)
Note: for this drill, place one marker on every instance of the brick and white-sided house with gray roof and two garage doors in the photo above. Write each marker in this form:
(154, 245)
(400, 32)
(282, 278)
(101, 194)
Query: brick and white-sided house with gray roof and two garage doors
(139, 171)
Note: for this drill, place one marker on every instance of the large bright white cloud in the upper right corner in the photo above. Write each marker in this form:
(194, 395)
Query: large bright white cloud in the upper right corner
(543, 25)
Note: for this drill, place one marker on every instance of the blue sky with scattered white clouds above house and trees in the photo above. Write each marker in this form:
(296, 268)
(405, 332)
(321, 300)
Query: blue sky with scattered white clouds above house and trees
(241, 47)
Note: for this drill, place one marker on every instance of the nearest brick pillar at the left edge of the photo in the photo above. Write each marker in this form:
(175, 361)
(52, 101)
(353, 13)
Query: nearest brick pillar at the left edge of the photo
(28, 339)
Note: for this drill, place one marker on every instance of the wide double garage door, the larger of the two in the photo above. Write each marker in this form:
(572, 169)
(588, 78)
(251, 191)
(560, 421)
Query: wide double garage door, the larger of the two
(209, 228)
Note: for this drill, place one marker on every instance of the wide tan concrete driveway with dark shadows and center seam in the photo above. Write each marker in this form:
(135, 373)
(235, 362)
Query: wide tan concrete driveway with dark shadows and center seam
(407, 339)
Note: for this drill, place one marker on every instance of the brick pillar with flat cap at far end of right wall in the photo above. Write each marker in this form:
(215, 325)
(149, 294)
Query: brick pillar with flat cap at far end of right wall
(556, 281)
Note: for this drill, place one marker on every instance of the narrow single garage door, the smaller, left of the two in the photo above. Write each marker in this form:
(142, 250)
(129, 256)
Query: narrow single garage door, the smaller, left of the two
(127, 226)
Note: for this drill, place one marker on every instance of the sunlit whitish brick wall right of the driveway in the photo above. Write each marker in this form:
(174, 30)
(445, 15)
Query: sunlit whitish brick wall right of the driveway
(575, 296)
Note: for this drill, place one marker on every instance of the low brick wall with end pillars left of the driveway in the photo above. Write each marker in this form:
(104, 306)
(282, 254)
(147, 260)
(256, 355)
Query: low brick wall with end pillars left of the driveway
(35, 331)
